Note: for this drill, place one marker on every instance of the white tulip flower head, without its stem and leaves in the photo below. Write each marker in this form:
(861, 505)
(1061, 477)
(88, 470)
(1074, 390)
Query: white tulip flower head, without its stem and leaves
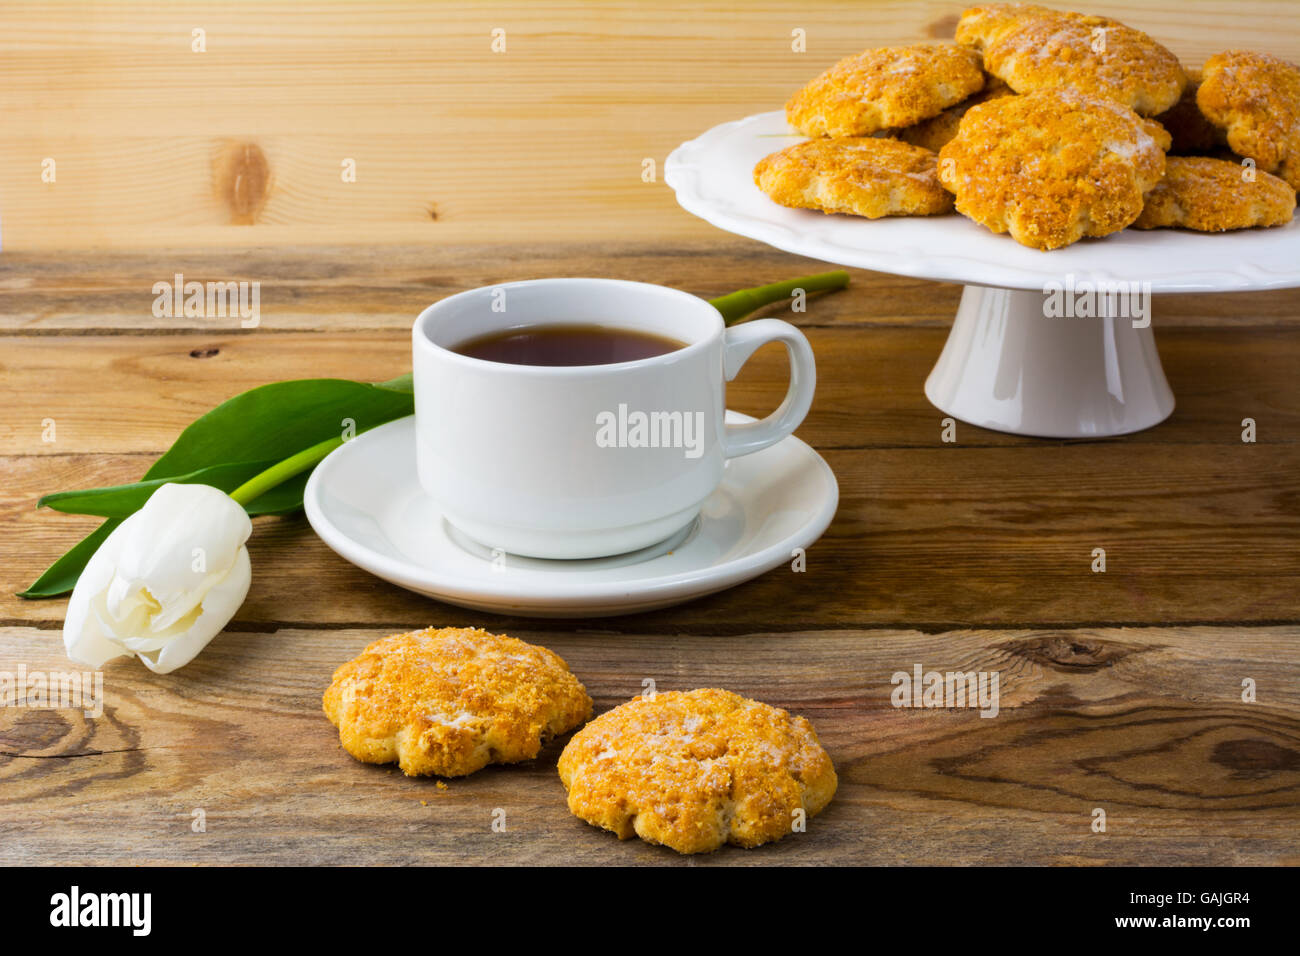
(164, 583)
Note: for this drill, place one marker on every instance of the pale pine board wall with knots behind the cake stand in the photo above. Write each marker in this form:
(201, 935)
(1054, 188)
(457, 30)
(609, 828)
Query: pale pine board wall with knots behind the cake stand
(453, 142)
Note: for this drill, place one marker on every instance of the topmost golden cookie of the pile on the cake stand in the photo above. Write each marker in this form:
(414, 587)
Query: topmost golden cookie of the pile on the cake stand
(1037, 49)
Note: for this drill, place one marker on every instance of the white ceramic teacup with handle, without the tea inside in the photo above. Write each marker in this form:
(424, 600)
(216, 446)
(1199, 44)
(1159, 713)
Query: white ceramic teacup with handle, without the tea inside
(554, 462)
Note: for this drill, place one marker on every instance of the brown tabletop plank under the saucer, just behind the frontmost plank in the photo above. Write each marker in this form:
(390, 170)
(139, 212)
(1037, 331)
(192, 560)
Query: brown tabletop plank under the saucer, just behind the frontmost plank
(934, 538)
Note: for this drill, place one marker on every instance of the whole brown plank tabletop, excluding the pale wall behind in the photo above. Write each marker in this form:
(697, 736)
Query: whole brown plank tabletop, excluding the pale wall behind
(1121, 691)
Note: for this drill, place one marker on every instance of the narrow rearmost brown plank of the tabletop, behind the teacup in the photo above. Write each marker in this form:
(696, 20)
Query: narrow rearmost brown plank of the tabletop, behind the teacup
(385, 288)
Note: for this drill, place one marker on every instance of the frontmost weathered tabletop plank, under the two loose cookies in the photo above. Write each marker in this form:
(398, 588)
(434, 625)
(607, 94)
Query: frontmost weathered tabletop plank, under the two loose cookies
(1147, 725)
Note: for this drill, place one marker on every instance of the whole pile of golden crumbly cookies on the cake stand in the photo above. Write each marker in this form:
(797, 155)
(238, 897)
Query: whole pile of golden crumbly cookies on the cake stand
(1050, 127)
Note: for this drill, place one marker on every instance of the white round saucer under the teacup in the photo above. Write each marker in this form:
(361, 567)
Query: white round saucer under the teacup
(366, 503)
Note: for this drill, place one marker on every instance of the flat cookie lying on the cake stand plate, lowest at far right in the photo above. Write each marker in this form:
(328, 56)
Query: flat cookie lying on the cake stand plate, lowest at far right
(1214, 196)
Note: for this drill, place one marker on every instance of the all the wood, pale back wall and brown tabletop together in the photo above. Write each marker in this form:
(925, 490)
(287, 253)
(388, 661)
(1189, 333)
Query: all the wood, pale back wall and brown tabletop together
(1121, 691)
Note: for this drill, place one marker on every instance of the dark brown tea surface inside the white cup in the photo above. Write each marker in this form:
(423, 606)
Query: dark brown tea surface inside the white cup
(567, 345)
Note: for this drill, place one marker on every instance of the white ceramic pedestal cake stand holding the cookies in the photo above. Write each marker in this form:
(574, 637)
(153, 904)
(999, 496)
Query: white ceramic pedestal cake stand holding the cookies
(1020, 357)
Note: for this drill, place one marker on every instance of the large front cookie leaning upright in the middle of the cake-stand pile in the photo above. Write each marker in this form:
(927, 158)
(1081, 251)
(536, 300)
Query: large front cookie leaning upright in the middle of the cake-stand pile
(1052, 167)
